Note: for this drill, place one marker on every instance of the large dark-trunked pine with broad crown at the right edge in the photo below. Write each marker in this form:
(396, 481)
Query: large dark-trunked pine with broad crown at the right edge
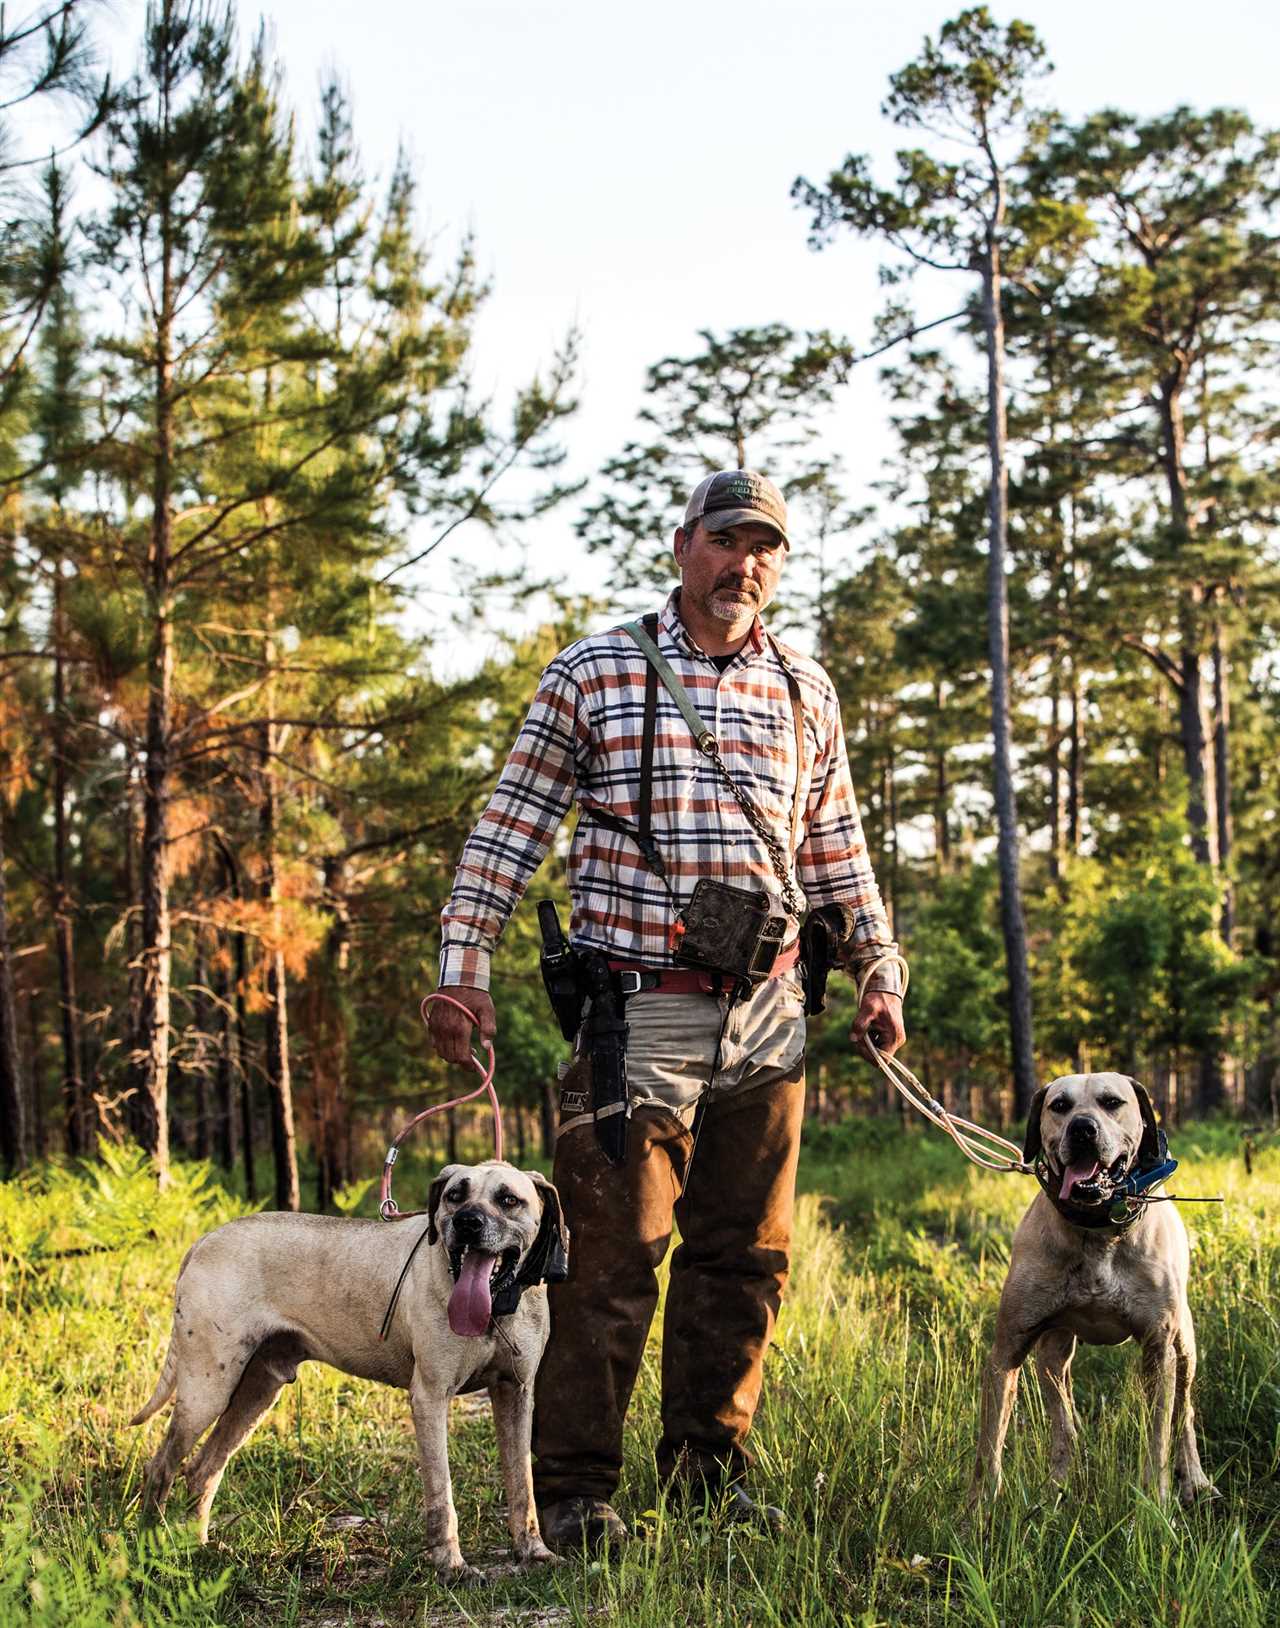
(1183, 294)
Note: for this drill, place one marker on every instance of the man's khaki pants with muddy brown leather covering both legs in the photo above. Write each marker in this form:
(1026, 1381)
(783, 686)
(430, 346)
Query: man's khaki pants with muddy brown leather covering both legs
(734, 1206)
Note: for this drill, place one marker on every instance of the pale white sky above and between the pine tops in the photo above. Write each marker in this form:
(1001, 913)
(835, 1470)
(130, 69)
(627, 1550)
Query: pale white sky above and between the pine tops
(628, 168)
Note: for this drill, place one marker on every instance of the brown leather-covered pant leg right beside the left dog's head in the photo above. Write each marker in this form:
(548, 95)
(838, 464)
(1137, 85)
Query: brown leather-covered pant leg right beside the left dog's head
(620, 1222)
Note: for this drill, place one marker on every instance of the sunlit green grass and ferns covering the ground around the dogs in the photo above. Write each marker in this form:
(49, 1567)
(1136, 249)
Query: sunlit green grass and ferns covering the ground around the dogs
(866, 1435)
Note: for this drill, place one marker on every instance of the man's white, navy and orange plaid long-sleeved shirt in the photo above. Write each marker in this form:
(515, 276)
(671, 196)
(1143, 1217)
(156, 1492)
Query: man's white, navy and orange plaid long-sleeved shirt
(581, 743)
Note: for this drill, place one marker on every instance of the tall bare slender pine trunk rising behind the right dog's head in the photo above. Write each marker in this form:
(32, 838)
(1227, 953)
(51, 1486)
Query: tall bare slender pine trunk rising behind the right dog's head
(999, 647)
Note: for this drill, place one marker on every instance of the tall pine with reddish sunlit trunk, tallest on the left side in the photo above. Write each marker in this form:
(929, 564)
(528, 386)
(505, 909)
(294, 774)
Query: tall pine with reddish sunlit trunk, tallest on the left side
(203, 212)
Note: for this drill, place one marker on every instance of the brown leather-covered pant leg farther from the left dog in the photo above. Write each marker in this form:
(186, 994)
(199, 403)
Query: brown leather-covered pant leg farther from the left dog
(727, 1279)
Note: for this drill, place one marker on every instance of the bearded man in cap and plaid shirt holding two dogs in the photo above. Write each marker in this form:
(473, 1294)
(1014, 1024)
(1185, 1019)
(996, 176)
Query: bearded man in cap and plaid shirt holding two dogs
(716, 1080)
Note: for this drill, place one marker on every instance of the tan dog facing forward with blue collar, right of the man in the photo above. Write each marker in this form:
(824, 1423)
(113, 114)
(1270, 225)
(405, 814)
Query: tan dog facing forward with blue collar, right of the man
(1081, 1271)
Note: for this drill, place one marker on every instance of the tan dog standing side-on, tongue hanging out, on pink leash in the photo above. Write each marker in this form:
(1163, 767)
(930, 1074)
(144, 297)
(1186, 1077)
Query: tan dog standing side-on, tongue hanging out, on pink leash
(266, 1293)
